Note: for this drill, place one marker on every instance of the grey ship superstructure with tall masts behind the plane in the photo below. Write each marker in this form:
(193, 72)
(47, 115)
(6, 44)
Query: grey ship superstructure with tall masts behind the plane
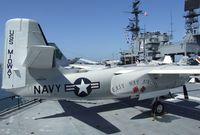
(147, 46)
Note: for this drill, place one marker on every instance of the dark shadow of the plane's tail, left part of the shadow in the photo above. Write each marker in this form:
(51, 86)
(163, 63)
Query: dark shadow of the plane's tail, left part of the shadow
(86, 115)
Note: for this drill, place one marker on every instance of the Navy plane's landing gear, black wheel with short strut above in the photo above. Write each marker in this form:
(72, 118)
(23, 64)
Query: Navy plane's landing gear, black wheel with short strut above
(158, 108)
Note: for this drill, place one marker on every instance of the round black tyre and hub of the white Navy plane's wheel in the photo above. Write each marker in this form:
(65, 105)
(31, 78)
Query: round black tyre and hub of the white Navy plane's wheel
(158, 108)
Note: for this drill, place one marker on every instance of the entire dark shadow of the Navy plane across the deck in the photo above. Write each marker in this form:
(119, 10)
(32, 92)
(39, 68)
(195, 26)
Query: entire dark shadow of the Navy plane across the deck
(91, 117)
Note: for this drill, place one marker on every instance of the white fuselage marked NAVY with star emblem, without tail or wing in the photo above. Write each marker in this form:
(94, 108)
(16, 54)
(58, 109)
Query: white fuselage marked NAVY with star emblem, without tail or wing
(100, 84)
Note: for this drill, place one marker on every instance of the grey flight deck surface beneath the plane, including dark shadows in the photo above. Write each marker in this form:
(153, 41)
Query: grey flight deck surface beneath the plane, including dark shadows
(119, 117)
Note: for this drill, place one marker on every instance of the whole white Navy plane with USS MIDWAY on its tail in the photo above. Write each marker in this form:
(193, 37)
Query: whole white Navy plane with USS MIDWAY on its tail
(30, 70)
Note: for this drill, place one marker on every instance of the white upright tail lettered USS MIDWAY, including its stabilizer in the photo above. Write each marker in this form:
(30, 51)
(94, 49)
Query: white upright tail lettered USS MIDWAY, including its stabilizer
(24, 47)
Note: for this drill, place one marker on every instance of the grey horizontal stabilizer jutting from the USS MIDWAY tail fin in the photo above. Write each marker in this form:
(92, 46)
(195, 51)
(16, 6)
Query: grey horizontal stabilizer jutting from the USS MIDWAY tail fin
(40, 57)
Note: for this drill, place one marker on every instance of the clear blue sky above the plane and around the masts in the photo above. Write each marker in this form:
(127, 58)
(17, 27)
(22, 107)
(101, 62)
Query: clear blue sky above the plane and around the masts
(92, 29)
